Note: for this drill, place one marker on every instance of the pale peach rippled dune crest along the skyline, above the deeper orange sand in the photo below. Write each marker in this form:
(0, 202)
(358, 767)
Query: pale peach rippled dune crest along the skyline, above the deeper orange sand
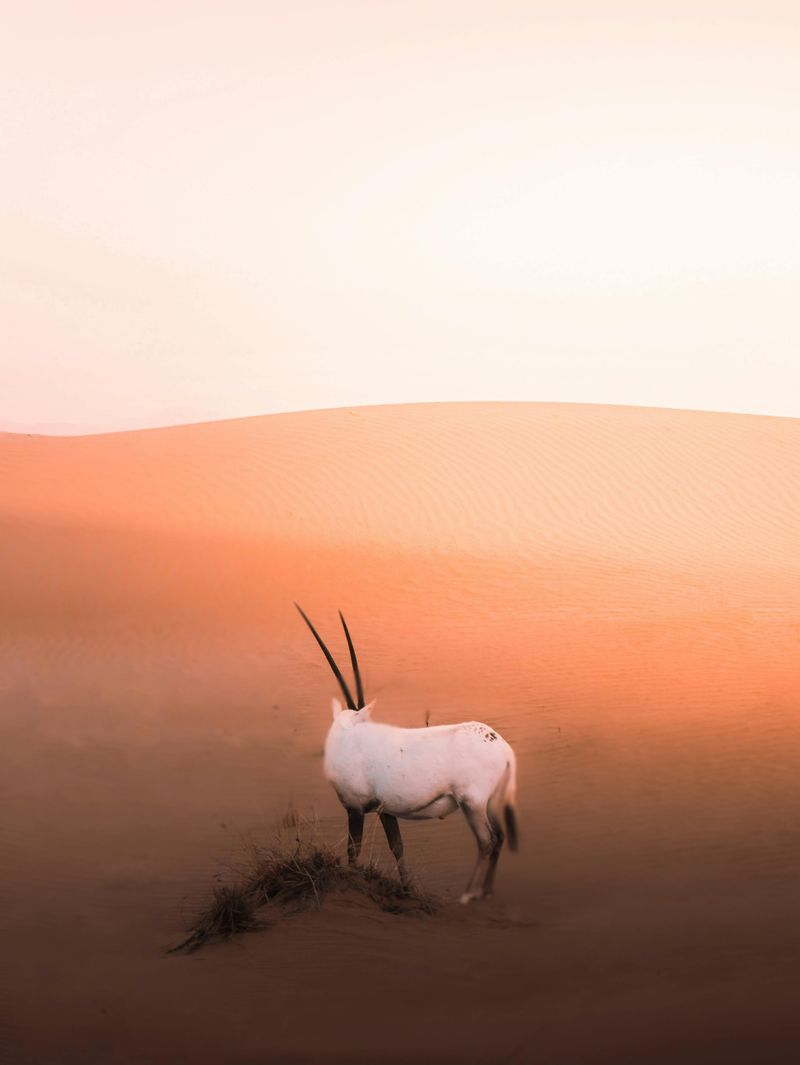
(659, 486)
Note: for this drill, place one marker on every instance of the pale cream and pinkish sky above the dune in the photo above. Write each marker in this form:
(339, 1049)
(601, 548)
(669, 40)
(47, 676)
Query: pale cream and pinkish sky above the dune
(216, 210)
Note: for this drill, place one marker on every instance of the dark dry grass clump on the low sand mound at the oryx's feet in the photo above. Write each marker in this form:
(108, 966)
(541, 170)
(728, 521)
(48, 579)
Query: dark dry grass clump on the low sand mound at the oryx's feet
(290, 880)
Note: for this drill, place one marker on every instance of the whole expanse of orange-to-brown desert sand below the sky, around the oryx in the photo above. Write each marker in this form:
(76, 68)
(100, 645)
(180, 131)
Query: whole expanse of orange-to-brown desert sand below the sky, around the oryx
(617, 591)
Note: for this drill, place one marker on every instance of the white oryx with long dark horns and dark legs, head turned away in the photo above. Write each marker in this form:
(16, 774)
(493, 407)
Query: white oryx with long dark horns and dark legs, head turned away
(419, 774)
